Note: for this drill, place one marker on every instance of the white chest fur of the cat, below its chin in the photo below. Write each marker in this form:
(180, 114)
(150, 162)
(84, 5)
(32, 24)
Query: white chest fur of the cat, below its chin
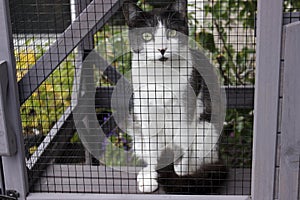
(158, 87)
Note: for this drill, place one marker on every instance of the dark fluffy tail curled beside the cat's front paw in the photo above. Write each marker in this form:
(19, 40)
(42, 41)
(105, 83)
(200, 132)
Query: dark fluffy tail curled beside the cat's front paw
(209, 179)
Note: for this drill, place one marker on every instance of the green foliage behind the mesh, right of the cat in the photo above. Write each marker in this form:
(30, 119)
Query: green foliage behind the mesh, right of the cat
(236, 63)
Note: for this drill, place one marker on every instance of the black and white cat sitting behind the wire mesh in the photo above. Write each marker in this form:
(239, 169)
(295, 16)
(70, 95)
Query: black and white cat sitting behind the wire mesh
(171, 101)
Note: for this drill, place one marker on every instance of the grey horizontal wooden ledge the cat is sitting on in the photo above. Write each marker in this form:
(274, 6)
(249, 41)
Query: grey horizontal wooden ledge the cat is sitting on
(101, 179)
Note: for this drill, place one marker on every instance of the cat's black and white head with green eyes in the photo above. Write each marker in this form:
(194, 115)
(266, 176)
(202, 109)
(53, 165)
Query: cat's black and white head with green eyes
(157, 35)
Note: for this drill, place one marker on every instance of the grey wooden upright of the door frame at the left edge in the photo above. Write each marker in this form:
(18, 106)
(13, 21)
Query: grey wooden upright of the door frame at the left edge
(15, 176)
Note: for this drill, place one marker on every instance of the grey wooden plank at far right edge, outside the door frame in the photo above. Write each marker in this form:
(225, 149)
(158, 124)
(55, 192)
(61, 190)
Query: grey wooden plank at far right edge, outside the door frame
(290, 137)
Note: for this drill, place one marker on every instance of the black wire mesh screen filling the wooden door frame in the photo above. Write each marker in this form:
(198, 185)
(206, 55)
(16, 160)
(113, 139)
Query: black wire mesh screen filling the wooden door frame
(136, 97)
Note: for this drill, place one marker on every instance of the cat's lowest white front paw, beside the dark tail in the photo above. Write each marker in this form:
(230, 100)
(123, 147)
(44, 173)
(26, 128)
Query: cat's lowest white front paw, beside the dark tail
(147, 182)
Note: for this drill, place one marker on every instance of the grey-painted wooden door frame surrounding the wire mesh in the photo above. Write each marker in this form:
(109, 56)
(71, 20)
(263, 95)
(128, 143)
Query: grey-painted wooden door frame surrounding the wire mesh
(269, 34)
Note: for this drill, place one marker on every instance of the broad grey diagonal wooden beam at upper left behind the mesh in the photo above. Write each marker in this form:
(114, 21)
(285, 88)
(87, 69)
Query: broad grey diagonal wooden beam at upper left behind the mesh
(92, 18)
